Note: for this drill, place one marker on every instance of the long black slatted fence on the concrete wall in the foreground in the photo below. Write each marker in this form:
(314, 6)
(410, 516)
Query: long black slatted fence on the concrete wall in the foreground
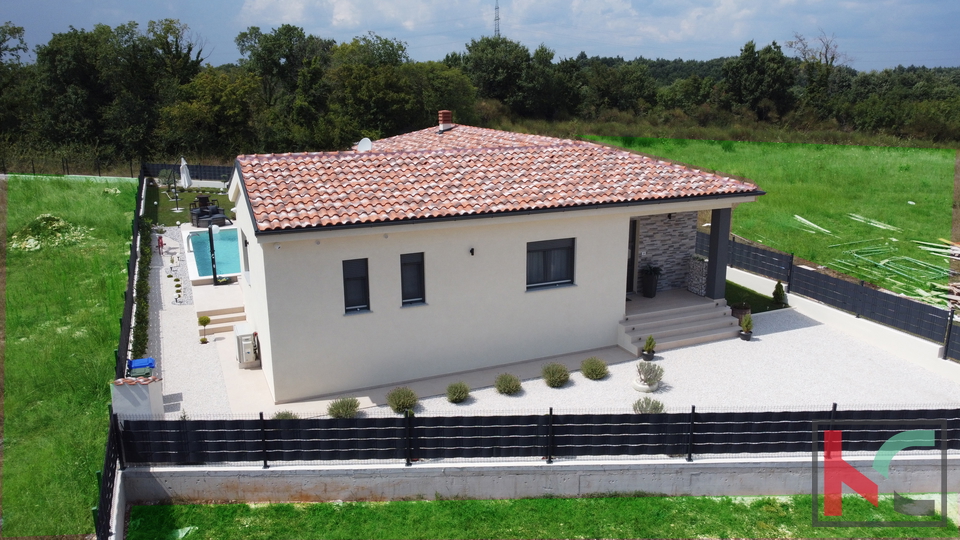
(195, 442)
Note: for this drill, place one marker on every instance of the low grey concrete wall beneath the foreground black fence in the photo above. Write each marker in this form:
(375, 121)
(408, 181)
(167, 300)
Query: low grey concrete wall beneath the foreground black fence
(774, 476)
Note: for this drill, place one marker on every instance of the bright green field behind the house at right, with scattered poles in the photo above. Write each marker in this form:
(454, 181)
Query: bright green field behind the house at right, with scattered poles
(910, 189)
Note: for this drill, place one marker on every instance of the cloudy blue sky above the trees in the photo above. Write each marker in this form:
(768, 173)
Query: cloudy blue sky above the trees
(877, 34)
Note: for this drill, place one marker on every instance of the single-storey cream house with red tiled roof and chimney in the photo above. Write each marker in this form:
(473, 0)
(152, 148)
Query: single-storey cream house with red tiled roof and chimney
(456, 248)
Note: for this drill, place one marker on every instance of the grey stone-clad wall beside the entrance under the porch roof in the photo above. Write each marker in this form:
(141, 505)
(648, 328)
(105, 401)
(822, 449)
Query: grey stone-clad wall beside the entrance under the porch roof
(668, 242)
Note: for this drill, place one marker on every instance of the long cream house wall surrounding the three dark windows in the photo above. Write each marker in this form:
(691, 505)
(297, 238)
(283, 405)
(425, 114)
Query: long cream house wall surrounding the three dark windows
(478, 312)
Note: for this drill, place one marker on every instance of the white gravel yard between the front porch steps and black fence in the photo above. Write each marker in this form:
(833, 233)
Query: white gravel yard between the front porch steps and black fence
(793, 362)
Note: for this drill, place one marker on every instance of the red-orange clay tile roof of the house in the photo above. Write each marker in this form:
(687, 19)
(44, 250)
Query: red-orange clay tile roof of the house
(465, 171)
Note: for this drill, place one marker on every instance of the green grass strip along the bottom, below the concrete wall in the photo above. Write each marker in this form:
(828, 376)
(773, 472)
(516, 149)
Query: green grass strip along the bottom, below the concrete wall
(611, 517)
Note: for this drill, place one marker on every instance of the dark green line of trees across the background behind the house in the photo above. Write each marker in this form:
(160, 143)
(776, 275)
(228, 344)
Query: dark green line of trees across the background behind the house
(128, 93)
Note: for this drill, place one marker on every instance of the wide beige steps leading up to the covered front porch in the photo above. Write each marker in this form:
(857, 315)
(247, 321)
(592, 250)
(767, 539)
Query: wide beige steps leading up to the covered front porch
(678, 326)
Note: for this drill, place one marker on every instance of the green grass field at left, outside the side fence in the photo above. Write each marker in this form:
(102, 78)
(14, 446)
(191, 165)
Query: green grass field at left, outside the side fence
(63, 305)
